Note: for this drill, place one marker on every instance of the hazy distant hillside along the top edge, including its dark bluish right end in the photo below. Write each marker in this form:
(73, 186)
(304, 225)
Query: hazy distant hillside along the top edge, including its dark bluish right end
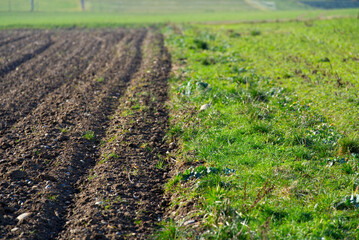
(160, 6)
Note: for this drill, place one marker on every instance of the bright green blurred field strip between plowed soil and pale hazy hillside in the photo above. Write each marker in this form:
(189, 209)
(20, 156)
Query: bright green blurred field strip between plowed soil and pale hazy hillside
(112, 19)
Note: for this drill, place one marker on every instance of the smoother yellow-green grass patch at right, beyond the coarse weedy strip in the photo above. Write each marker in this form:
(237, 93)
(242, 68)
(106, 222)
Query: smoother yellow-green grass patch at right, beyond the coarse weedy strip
(318, 60)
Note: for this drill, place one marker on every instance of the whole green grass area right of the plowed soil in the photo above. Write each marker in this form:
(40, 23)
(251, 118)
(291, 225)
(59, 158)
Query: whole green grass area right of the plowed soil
(274, 156)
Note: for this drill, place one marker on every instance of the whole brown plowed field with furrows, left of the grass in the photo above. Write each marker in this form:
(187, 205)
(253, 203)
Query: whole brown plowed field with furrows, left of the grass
(82, 121)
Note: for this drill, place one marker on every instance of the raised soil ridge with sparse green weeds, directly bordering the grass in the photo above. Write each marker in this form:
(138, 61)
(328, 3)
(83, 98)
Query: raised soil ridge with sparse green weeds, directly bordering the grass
(122, 195)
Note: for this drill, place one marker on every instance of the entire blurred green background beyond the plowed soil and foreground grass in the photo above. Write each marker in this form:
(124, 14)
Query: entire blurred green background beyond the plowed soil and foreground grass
(16, 13)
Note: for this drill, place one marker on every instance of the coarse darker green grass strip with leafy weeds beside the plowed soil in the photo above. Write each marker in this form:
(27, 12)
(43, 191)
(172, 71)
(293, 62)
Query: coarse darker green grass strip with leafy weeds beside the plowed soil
(255, 158)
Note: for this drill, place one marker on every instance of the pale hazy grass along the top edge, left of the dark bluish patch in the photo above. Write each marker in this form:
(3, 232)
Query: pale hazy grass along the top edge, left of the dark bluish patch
(140, 5)
